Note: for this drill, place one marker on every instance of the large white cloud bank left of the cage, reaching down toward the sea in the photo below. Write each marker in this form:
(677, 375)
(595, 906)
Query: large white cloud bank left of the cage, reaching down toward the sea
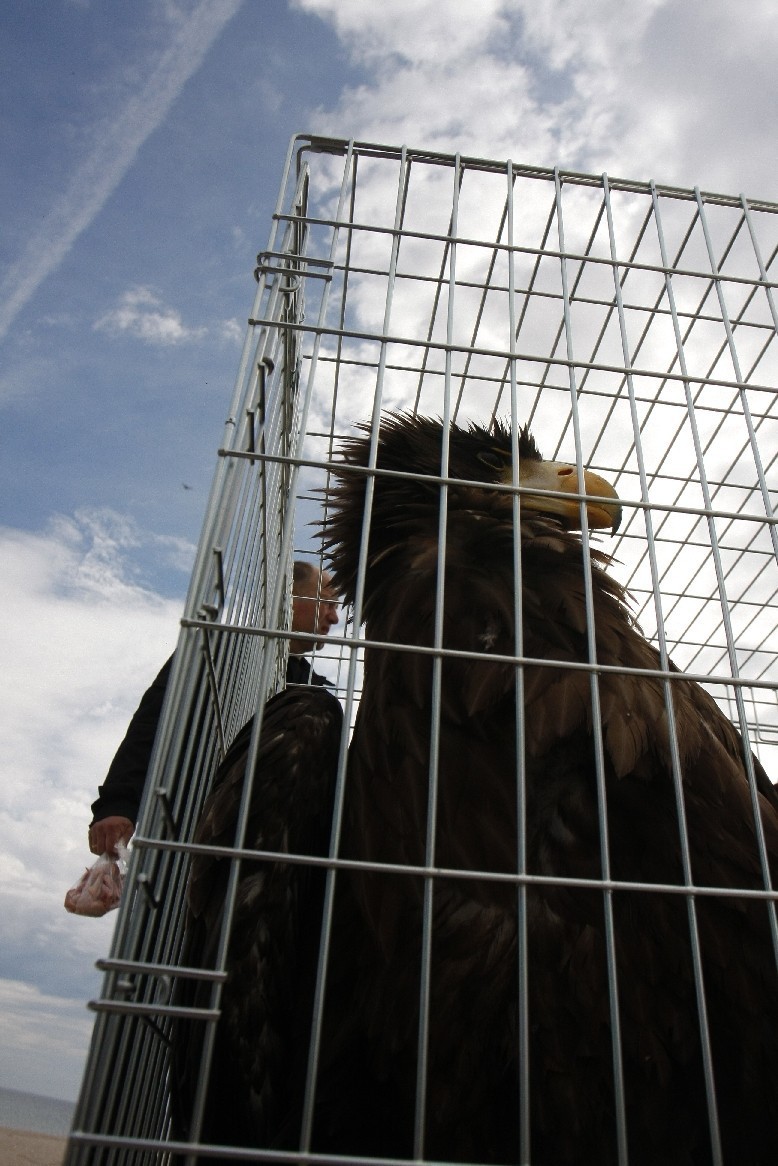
(83, 644)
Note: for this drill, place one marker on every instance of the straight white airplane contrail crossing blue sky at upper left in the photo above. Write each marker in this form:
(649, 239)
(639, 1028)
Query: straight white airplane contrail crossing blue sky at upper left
(102, 171)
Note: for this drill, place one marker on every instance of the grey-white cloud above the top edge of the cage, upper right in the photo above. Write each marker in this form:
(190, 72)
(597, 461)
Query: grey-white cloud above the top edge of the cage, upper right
(661, 90)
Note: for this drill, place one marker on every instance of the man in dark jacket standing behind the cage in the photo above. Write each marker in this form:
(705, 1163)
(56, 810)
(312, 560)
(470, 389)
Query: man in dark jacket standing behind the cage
(115, 813)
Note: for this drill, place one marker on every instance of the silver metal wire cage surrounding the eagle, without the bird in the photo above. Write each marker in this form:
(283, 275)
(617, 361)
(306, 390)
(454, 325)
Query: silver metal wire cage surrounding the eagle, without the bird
(632, 326)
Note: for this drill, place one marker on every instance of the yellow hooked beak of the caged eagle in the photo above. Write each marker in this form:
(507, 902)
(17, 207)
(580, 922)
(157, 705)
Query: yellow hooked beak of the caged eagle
(602, 505)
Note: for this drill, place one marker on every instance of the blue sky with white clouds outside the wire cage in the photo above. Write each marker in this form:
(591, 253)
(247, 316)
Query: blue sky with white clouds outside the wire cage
(142, 149)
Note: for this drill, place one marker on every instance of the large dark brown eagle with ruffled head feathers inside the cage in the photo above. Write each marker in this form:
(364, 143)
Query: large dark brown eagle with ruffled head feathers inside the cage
(548, 933)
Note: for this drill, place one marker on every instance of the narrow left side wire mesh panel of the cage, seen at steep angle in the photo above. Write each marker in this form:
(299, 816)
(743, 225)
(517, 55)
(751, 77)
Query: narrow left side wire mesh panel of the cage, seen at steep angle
(227, 661)
